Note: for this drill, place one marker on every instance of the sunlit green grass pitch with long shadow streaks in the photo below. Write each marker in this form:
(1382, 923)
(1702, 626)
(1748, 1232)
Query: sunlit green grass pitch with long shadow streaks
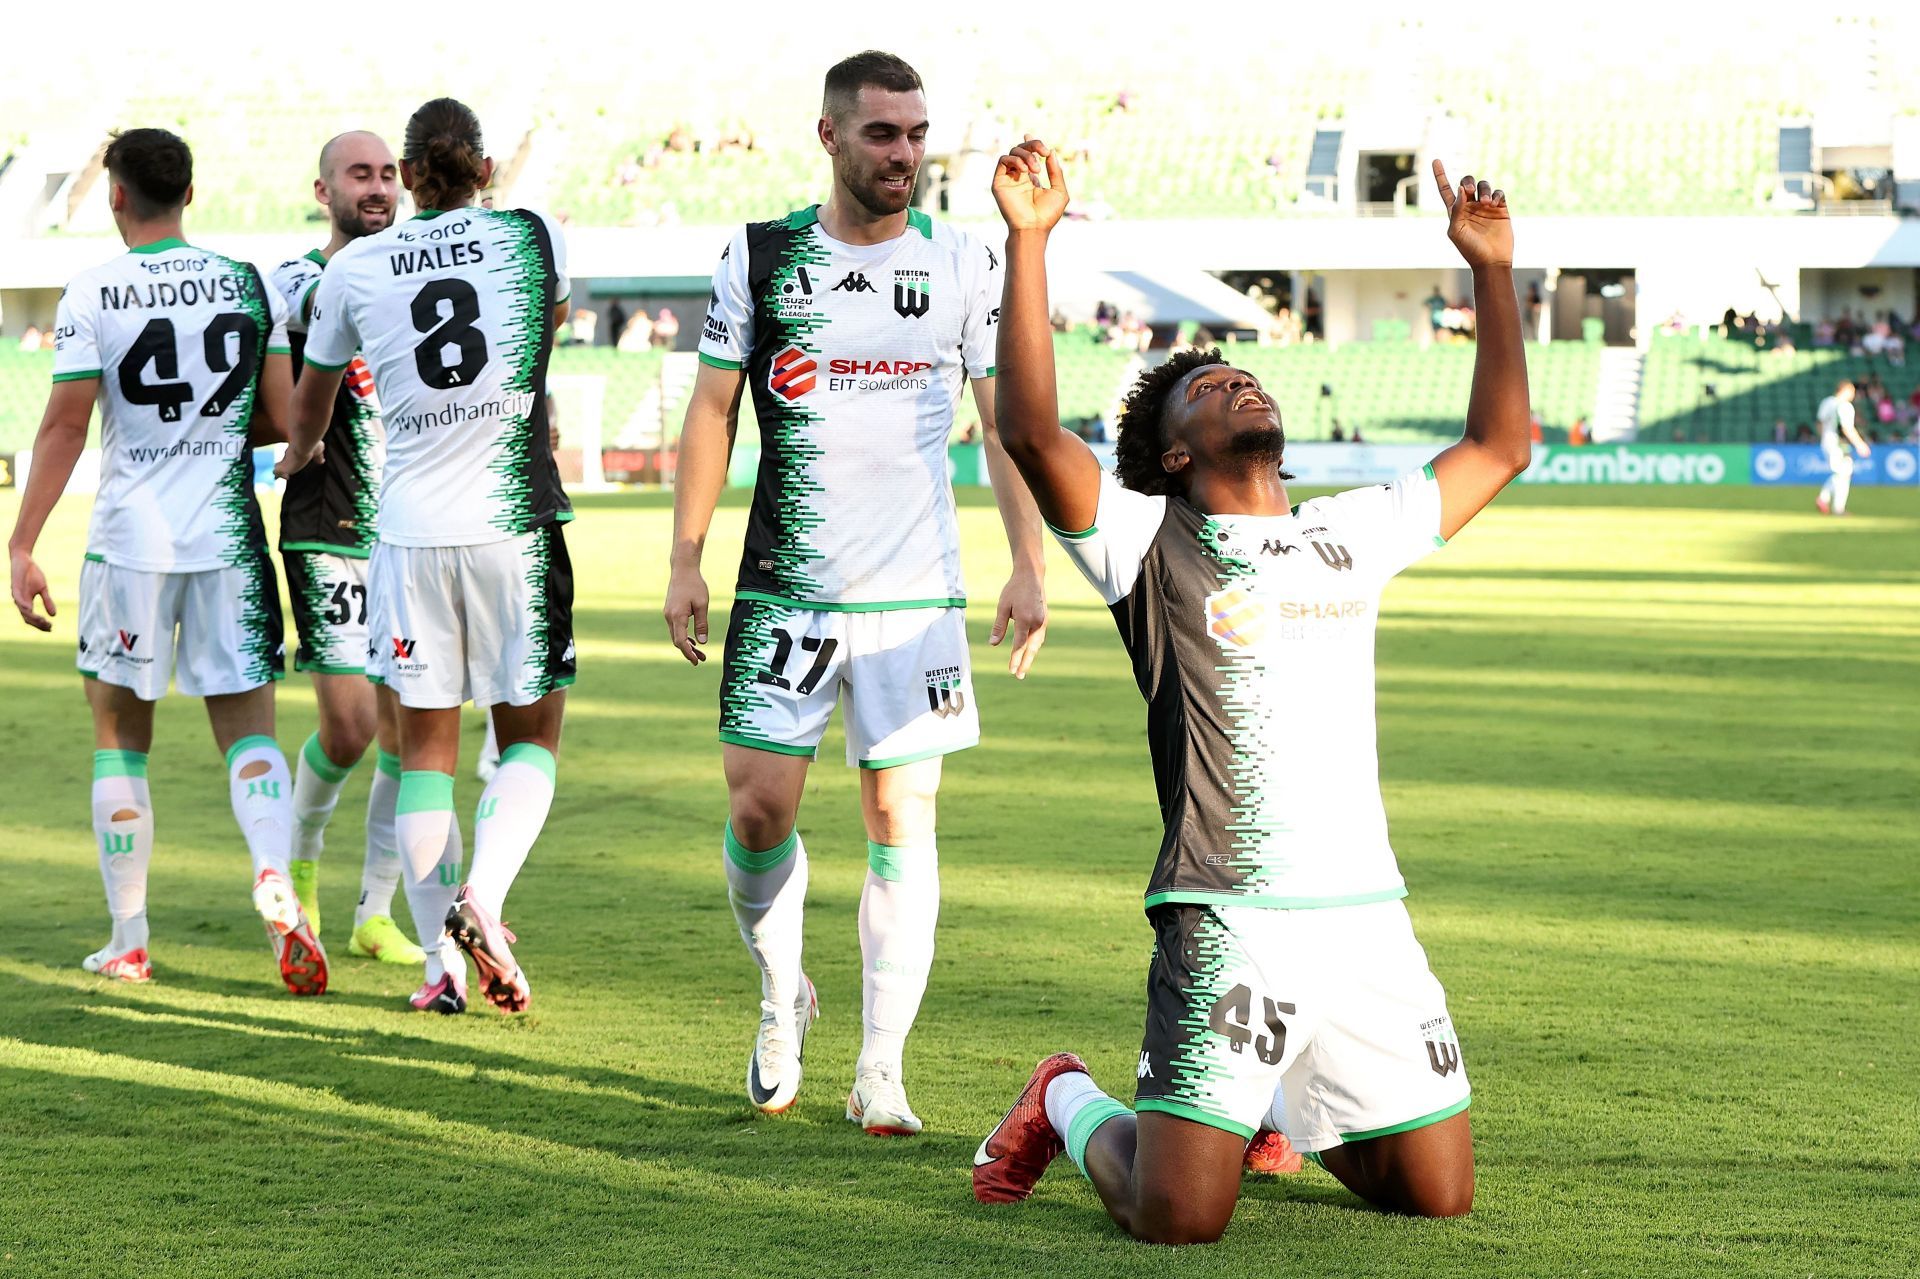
(1650, 767)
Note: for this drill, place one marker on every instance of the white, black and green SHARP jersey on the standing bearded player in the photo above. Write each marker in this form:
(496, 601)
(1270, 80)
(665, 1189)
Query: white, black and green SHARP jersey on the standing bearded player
(855, 358)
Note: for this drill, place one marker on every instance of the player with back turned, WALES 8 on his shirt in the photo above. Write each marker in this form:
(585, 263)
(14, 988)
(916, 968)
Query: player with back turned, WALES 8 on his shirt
(469, 589)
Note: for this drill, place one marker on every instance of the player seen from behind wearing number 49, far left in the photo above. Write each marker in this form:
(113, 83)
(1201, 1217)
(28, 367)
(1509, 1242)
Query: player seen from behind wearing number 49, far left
(185, 352)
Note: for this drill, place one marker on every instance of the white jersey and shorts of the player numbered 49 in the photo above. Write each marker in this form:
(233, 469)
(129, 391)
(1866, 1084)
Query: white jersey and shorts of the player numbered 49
(178, 571)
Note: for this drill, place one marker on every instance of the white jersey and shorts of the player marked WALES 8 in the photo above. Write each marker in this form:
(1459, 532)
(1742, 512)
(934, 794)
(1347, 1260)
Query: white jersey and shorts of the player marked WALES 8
(469, 592)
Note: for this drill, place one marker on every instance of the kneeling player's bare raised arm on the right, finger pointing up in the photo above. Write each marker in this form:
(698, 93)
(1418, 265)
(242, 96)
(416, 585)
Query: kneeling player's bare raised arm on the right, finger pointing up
(1499, 443)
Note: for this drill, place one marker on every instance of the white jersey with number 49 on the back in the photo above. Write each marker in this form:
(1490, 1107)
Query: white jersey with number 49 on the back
(178, 337)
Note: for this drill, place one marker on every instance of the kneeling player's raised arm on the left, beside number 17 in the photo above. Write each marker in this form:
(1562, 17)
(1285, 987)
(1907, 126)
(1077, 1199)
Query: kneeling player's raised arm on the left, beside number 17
(1057, 466)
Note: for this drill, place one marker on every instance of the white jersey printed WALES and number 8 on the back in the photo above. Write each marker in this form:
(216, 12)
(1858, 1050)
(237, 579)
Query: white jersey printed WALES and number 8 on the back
(454, 316)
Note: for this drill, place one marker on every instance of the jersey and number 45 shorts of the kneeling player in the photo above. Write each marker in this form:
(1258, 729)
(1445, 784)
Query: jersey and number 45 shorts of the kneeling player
(1284, 952)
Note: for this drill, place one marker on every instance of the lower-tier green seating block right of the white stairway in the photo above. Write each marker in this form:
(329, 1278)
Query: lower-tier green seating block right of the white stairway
(1754, 389)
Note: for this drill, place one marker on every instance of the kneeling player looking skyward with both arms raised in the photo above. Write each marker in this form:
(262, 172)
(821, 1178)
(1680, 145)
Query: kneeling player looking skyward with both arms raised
(1287, 992)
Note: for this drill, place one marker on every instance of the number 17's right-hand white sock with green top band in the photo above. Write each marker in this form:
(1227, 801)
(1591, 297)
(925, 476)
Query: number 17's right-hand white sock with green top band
(898, 913)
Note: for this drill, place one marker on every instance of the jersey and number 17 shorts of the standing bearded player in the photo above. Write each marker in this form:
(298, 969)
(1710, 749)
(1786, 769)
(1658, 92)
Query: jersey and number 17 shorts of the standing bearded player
(850, 579)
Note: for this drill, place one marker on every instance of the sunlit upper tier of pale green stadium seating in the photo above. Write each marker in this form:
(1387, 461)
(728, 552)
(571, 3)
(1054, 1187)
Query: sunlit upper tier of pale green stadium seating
(1157, 128)
